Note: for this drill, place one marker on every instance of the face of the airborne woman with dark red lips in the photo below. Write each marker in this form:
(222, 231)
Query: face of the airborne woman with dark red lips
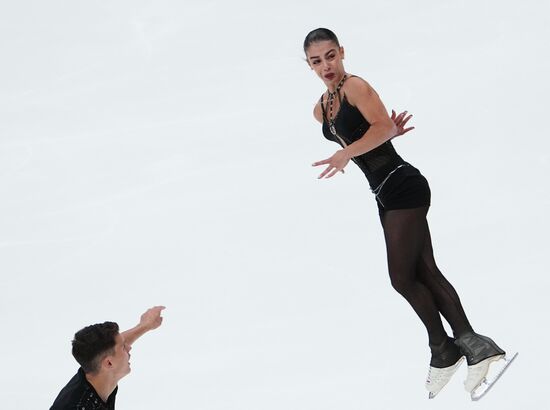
(326, 59)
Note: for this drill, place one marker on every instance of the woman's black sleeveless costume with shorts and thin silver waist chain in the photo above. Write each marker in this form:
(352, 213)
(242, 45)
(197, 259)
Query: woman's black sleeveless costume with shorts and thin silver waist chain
(395, 183)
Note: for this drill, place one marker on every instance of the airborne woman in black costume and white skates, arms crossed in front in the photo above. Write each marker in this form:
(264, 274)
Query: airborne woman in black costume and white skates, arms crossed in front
(354, 117)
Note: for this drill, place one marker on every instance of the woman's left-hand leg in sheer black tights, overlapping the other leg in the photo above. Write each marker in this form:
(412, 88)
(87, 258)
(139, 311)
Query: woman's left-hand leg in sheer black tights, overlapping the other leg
(405, 231)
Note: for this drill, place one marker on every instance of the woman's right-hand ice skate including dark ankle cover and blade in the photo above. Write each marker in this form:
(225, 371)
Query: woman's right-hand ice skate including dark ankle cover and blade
(480, 352)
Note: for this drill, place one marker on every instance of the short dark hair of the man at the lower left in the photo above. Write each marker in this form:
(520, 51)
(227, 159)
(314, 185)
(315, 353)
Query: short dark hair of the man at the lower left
(91, 344)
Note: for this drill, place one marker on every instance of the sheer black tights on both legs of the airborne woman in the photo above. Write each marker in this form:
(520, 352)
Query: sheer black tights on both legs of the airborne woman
(415, 275)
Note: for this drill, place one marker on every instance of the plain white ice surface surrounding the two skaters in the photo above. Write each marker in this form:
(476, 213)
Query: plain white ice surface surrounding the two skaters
(158, 152)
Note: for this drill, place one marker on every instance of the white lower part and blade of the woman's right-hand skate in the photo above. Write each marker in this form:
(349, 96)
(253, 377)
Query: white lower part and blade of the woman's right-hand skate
(479, 382)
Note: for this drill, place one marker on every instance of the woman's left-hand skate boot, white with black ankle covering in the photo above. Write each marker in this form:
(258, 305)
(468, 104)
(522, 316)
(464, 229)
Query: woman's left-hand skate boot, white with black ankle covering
(446, 359)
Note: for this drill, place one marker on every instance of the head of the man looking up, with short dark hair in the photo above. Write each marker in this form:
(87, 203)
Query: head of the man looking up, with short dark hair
(101, 347)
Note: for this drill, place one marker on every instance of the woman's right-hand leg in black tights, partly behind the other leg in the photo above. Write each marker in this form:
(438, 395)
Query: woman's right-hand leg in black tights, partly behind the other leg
(445, 296)
